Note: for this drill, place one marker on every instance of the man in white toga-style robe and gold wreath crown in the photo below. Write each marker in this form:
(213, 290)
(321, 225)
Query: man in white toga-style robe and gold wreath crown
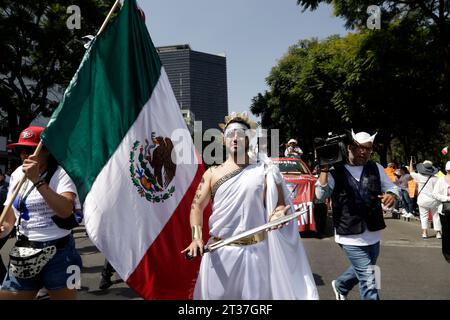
(246, 194)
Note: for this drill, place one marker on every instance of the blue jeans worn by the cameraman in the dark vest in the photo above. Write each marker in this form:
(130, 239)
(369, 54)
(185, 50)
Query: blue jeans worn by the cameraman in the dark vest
(362, 271)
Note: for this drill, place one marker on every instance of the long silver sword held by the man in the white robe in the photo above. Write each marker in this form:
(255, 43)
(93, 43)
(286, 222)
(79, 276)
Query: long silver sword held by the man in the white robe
(221, 243)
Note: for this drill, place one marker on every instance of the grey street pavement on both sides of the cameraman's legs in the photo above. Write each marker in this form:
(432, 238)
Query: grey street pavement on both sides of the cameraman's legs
(411, 268)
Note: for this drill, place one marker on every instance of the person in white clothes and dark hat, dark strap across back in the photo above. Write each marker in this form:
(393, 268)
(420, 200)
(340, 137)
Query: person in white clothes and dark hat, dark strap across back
(426, 179)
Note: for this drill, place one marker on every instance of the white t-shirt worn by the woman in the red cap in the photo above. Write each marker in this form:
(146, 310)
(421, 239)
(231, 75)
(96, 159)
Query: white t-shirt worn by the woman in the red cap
(40, 226)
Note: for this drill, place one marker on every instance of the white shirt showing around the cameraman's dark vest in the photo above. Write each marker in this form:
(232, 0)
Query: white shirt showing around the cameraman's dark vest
(367, 237)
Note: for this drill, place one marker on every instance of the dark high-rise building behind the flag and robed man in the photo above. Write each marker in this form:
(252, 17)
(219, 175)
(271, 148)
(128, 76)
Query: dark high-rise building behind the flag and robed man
(199, 81)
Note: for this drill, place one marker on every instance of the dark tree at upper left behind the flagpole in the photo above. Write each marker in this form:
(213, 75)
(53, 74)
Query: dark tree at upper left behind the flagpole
(39, 54)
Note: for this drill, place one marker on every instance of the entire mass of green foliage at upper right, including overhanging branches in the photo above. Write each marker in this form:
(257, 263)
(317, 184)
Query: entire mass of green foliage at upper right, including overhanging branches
(393, 81)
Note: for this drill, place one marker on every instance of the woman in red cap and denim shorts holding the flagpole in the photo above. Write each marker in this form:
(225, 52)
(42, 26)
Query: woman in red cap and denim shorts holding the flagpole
(44, 254)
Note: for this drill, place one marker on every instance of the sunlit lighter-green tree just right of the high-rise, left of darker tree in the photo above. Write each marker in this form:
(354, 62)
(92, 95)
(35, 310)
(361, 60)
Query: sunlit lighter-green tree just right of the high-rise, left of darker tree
(302, 98)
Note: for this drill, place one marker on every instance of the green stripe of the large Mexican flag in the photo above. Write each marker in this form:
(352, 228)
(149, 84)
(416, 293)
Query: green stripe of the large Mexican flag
(114, 81)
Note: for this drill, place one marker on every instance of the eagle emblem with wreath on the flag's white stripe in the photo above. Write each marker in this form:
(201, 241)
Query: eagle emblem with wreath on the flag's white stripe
(152, 169)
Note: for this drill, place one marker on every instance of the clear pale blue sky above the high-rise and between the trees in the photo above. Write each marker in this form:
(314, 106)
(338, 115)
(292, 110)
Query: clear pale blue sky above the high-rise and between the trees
(253, 34)
